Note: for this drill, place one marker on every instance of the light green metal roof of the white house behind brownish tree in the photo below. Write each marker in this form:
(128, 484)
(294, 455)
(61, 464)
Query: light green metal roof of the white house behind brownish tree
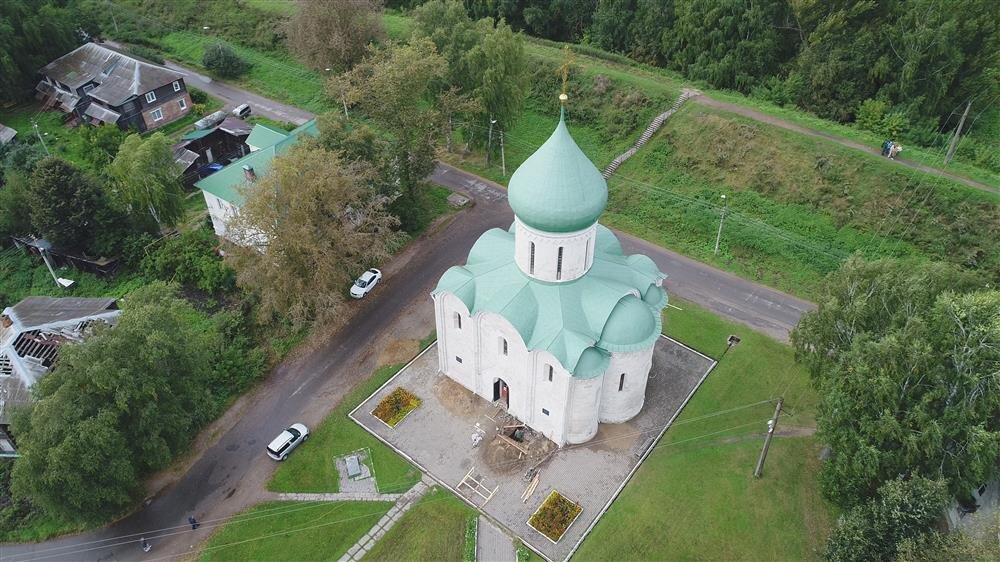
(227, 182)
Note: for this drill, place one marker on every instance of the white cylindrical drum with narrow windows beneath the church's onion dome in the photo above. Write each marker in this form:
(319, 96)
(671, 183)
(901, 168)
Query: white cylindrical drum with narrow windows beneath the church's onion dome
(578, 252)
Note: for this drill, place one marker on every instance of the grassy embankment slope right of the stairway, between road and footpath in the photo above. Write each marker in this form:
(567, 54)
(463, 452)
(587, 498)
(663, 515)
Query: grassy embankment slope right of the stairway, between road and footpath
(798, 205)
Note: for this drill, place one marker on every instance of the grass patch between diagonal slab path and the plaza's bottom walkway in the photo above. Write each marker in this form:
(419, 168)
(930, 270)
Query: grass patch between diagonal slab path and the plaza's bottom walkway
(433, 529)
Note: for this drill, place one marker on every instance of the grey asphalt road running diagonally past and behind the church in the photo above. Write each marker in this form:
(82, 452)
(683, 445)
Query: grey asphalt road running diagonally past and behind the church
(232, 471)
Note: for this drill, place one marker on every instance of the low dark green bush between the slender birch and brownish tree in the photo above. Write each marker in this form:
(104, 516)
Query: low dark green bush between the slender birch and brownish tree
(190, 259)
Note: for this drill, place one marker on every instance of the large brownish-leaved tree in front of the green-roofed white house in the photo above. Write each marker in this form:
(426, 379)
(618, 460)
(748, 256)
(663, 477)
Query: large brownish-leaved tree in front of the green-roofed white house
(313, 224)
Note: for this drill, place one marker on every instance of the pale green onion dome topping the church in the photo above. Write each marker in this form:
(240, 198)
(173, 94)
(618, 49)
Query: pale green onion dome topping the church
(558, 189)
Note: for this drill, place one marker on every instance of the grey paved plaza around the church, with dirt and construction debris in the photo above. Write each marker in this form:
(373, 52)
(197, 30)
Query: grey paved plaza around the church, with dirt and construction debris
(439, 437)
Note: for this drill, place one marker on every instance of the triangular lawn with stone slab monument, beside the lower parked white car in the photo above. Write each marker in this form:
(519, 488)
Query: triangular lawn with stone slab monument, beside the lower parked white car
(311, 468)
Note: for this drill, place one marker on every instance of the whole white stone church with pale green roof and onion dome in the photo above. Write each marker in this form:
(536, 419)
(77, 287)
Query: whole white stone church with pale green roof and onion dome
(550, 319)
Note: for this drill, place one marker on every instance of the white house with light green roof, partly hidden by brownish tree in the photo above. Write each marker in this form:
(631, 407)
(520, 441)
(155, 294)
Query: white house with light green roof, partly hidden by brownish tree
(224, 189)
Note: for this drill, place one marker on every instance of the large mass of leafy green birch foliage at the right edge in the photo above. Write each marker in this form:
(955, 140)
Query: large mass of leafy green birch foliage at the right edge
(906, 360)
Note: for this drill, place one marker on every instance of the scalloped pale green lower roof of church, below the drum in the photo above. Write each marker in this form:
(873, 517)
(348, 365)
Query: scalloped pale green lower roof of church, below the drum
(614, 307)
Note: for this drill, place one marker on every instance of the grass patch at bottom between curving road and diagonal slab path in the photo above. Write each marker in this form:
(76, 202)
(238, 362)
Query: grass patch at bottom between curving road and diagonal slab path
(293, 531)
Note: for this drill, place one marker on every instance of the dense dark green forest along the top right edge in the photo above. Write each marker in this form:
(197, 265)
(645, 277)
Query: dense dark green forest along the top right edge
(905, 67)
